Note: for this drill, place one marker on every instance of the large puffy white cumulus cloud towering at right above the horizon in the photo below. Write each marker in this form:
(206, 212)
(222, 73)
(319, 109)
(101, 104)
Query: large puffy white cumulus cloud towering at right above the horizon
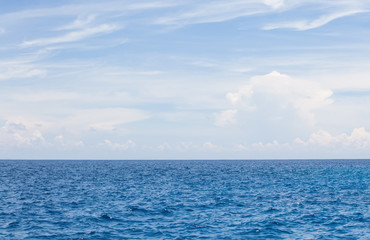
(278, 94)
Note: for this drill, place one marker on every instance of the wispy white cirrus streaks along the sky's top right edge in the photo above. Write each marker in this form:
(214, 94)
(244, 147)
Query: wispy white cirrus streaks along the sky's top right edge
(220, 11)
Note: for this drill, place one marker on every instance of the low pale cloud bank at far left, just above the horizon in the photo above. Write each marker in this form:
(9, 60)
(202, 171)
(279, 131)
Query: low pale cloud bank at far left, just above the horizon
(71, 130)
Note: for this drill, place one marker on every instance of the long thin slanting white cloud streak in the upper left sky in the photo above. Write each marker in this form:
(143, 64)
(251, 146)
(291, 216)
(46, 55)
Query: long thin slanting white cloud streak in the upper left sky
(73, 36)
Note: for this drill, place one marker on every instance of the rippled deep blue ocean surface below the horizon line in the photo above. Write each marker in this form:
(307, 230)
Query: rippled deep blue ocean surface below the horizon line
(305, 199)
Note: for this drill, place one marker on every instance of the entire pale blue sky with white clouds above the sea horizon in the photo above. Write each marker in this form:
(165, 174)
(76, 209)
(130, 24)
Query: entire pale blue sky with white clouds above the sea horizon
(250, 79)
